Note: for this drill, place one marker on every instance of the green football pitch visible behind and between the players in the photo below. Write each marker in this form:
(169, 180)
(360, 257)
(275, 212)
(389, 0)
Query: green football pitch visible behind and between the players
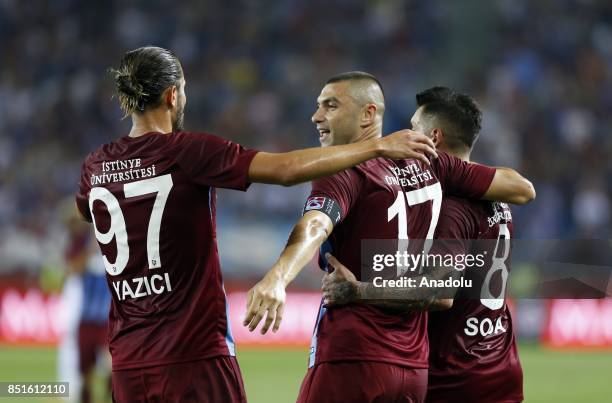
(274, 375)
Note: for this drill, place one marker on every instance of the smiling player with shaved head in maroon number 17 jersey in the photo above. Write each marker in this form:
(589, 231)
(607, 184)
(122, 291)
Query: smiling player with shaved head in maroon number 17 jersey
(382, 355)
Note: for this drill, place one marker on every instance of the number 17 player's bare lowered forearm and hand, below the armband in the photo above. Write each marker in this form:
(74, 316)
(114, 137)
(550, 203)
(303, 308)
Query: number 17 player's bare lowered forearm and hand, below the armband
(269, 294)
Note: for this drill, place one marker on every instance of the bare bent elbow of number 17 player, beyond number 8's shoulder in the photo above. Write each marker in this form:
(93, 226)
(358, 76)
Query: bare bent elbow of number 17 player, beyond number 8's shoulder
(510, 187)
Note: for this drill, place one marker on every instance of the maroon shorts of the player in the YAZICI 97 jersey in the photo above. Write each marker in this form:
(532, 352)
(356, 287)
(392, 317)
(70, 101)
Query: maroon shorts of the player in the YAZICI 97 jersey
(208, 381)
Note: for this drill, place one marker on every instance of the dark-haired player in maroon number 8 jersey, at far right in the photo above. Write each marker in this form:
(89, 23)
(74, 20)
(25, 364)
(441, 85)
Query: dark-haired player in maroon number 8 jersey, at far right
(473, 355)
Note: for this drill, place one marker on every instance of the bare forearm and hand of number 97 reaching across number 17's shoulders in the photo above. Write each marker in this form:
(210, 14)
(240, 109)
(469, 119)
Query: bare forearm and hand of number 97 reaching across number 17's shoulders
(294, 167)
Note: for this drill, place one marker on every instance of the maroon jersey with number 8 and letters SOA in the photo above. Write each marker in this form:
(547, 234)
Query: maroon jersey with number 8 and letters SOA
(473, 354)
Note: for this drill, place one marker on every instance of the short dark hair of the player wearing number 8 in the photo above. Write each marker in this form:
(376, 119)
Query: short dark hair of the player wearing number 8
(460, 114)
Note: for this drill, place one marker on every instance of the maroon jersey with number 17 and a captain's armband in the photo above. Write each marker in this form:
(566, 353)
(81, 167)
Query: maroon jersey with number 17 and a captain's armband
(383, 199)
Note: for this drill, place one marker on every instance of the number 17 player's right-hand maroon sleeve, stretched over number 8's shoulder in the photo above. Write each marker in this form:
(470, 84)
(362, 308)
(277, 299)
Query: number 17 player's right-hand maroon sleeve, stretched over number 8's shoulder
(461, 178)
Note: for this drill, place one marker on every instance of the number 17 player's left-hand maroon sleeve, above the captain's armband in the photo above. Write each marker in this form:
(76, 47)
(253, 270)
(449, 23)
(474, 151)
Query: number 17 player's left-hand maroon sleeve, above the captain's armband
(342, 188)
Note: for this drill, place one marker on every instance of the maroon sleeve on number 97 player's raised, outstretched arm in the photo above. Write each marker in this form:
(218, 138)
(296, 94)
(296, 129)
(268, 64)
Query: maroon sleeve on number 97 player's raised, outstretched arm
(213, 161)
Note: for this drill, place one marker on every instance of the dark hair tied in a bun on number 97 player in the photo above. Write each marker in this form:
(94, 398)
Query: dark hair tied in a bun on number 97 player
(142, 77)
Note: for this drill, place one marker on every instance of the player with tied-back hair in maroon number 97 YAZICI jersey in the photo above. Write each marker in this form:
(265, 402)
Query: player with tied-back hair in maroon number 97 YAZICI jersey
(151, 198)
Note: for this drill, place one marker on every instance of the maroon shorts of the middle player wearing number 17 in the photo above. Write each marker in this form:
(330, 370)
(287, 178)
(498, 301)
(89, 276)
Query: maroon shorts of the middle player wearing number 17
(363, 382)
